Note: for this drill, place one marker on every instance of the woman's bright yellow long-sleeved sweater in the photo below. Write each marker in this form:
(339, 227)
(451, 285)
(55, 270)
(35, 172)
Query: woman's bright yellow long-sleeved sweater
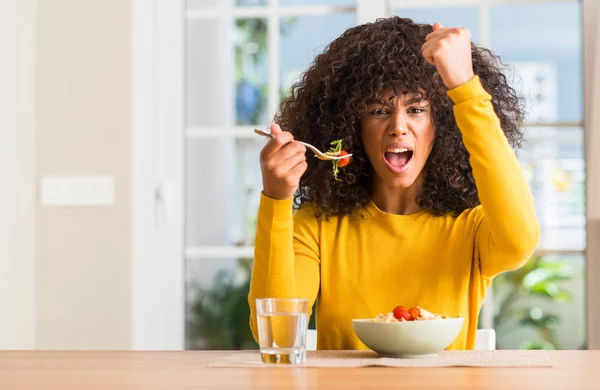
(358, 269)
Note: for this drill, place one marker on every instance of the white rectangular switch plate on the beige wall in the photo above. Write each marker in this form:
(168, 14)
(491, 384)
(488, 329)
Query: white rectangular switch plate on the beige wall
(77, 191)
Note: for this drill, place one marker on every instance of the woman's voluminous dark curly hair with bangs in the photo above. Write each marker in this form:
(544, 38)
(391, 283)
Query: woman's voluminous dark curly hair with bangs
(330, 98)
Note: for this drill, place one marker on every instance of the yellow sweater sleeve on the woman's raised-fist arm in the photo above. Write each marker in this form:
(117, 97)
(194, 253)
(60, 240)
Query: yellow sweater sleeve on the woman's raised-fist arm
(507, 228)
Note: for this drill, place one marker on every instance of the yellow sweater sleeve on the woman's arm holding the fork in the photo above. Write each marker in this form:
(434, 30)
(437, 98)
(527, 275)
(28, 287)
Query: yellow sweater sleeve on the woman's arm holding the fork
(286, 255)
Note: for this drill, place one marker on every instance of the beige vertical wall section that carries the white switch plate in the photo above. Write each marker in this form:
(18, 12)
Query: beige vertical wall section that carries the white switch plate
(83, 127)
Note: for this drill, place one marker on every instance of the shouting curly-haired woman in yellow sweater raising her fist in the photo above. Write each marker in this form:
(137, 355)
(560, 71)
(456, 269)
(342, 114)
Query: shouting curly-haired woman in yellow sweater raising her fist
(433, 204)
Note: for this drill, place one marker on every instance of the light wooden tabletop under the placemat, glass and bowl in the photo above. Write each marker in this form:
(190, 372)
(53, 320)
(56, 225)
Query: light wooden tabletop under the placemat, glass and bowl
(186, 370)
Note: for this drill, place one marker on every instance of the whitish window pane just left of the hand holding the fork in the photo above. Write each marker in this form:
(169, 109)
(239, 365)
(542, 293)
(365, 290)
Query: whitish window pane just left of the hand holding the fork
(222, 202)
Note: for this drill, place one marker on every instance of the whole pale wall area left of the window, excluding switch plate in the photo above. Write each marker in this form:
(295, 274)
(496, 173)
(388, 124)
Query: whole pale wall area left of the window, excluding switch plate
(88, 277)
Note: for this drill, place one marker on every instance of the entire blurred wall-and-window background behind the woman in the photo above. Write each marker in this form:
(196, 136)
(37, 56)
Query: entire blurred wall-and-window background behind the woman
(132, 177)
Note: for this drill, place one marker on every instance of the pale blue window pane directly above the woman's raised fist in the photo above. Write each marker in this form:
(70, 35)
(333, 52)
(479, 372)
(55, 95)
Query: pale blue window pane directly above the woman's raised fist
(467, 17)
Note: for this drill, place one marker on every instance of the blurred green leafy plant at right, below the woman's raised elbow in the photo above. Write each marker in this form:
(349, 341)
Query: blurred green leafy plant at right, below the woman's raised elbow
(520, 294)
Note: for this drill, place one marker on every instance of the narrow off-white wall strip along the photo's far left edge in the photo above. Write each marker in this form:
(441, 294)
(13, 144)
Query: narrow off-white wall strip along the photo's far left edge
(17, 193)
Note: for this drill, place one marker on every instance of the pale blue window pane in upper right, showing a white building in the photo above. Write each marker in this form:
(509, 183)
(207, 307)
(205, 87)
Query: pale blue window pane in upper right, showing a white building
(546, 40)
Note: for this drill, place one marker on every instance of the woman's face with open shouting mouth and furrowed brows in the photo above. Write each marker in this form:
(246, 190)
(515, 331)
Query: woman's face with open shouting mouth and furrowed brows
(397, 132)
